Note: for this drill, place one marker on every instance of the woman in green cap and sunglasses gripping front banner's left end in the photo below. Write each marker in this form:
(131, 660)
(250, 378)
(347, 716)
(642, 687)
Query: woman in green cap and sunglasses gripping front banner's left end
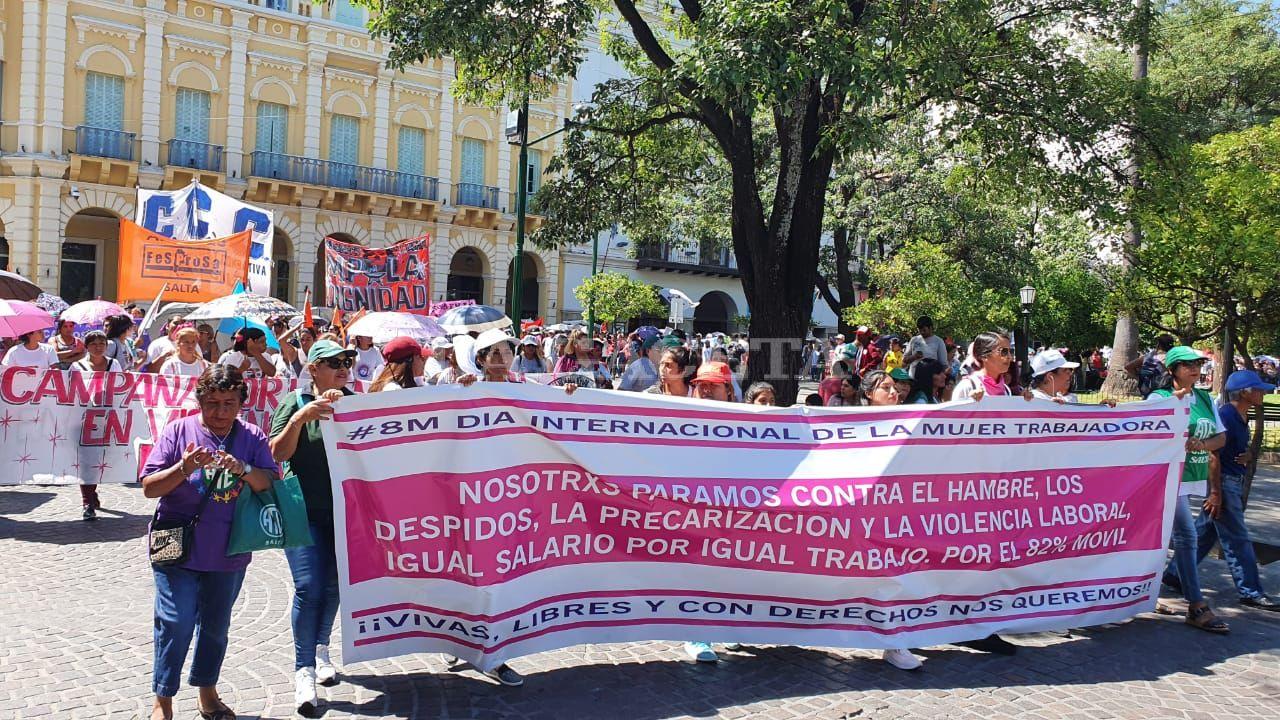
(298, 444)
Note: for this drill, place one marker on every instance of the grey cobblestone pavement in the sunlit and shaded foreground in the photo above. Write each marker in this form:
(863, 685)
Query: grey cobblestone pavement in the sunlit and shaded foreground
(76, 642)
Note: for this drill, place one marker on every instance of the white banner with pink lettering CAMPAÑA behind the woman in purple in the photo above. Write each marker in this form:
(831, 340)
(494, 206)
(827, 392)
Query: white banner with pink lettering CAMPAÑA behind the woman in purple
(84, 429)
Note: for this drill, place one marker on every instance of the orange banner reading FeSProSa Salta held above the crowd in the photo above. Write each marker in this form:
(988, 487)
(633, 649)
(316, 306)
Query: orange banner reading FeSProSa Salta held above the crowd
(195, 272)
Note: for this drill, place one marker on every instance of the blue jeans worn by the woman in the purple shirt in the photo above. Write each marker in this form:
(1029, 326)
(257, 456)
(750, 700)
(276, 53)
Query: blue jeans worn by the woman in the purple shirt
(191, 603)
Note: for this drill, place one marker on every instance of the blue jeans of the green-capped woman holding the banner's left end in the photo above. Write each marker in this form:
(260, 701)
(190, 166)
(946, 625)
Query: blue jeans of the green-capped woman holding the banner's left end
(316, 594)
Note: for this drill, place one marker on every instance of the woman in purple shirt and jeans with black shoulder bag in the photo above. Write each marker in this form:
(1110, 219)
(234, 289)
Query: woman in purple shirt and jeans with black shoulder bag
(207, 454)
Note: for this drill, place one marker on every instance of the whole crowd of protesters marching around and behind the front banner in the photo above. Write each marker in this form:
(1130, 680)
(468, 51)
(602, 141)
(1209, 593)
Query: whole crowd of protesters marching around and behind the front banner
(202, 463)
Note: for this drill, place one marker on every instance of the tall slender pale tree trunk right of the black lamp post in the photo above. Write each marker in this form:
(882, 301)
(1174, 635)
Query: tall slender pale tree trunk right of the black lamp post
(1124, 348)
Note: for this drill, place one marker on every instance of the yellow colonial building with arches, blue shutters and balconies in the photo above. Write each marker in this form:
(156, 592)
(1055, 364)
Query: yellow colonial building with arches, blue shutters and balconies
(286, 104)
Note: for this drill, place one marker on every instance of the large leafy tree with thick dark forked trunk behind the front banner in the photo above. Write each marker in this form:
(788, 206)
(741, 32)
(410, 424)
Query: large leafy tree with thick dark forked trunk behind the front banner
(766, 94)
